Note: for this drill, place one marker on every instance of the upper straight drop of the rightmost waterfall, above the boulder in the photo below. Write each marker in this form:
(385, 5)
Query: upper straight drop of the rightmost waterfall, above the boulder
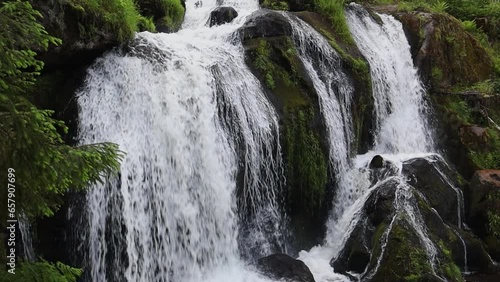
(398, 92)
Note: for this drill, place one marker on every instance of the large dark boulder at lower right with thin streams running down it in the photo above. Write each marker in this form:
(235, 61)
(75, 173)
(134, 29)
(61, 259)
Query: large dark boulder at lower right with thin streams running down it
(430, 192)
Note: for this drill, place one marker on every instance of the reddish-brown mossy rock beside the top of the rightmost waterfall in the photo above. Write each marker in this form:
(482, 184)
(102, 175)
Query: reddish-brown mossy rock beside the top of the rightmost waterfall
(445, 54)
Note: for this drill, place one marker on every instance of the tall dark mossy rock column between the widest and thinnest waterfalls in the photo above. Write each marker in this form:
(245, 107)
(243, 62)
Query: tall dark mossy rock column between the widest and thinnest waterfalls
(274, 61)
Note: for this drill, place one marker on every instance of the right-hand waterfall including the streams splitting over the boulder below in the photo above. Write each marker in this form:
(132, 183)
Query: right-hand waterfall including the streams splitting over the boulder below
(401, 132)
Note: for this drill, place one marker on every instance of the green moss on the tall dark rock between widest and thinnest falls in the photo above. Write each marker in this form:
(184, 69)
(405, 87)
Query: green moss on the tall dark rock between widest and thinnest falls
(306, 161)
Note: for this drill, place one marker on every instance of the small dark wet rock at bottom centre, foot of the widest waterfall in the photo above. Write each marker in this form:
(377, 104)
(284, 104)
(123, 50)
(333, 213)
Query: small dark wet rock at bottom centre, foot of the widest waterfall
(284, 268)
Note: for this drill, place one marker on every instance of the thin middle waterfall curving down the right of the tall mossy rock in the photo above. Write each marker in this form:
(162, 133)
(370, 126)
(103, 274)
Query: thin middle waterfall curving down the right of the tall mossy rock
(333, 86)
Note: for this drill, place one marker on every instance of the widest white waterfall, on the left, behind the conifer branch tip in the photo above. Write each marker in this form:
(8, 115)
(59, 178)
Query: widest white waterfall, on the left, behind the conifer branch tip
(187, 112)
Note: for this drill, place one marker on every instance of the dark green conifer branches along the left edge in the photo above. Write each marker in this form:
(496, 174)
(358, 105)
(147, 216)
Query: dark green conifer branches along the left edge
(32, 152)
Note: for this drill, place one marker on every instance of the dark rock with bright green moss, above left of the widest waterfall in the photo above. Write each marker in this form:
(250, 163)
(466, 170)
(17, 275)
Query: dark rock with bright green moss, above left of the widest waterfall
(87, 28)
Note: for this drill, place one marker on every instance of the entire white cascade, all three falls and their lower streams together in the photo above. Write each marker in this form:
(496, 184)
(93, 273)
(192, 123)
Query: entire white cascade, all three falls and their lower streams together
(174, 105)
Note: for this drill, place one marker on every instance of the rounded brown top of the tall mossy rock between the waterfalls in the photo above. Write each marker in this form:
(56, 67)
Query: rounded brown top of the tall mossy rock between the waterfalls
(265, 23)
